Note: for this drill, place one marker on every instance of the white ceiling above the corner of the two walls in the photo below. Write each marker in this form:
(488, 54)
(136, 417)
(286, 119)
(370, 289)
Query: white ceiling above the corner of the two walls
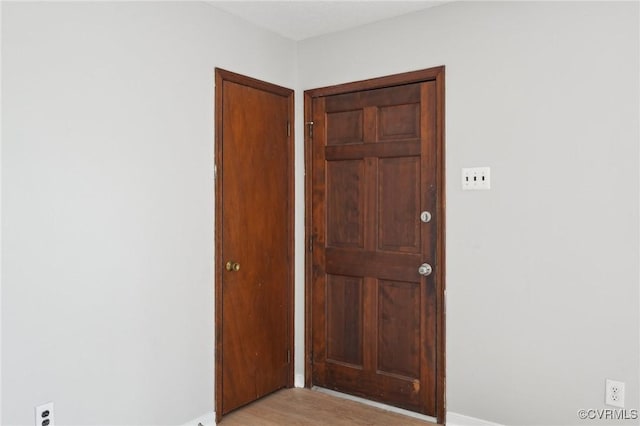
(301, 19)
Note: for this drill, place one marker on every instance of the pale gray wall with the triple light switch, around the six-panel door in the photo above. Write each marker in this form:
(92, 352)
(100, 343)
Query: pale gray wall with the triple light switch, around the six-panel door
(542, 271)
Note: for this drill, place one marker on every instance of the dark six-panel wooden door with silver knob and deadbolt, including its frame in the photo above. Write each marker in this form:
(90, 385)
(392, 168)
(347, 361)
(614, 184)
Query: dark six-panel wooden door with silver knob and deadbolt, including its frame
(377, 215)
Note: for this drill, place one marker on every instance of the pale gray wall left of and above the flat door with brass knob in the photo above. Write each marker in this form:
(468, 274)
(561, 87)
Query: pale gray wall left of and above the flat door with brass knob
(107, 193)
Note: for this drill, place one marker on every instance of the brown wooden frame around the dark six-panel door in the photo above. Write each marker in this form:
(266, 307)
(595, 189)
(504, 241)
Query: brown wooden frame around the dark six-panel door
(431, 74)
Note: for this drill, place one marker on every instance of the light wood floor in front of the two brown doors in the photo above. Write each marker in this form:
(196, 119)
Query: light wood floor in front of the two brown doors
(312, 408)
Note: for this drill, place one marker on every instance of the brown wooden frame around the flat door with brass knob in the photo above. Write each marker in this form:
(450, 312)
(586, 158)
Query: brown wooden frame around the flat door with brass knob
(221, 76)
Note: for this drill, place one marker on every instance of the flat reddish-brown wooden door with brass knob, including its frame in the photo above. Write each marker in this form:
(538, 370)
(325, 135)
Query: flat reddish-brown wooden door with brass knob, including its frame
(254, 240)
